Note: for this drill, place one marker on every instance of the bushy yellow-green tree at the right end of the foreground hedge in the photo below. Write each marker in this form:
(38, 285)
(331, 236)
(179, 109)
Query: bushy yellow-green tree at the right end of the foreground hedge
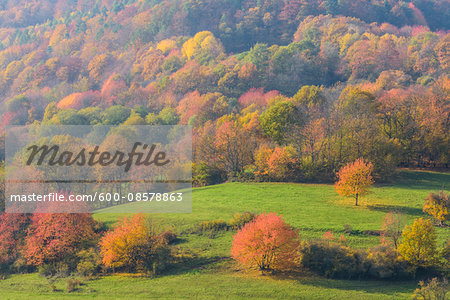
(418, 245)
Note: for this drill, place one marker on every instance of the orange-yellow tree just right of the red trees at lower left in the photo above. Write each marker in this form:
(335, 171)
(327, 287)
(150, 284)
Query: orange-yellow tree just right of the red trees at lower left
(133, 246)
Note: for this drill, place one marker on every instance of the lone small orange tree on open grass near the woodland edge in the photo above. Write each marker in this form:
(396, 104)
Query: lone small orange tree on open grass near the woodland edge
(355, 179)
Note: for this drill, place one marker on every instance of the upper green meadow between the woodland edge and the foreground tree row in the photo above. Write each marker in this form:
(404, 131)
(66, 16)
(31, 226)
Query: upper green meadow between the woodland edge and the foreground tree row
(312, 208)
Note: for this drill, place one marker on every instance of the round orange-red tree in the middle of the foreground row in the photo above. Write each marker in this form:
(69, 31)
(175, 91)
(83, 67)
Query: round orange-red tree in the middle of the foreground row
(268, 243)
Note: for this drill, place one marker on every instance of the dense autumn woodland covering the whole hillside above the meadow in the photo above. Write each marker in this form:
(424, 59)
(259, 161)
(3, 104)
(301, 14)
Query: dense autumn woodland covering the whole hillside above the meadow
(275, 90)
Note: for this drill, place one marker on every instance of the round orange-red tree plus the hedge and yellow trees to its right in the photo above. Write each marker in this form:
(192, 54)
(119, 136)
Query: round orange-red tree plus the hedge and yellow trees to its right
(270, 244)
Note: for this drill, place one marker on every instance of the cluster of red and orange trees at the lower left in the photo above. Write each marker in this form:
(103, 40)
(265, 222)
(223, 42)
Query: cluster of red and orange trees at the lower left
(61, 243)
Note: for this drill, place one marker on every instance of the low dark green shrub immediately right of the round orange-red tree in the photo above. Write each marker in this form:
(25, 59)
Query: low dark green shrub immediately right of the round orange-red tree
(333, 260)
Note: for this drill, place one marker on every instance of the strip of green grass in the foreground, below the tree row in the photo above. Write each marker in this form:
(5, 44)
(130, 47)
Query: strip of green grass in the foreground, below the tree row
(214, 282)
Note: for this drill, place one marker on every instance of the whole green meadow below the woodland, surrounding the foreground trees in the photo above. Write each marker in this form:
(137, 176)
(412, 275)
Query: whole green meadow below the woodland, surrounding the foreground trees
(313, 209)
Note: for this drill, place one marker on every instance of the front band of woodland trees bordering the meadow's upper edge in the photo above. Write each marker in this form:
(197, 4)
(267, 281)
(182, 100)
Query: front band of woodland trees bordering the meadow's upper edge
(306, 137)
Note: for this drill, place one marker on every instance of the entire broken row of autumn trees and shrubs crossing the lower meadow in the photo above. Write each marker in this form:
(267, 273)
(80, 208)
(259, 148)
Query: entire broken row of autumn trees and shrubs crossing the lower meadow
(59, 244)
